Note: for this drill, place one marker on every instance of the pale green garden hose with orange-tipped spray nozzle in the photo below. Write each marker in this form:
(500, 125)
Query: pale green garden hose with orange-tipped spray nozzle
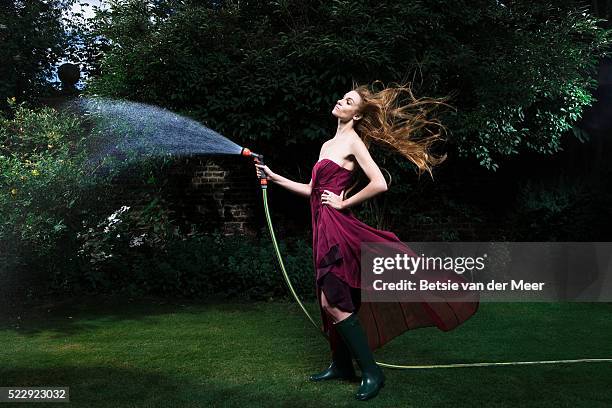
(264, 191)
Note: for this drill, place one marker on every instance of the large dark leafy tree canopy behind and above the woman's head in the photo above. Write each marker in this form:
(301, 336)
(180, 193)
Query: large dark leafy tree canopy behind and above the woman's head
(265, 72)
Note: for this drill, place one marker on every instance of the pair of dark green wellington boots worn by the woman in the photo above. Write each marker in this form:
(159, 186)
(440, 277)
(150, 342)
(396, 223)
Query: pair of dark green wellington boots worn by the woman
(354, 343)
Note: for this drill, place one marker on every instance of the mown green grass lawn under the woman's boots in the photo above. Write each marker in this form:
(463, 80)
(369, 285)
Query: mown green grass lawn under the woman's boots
(115, 353)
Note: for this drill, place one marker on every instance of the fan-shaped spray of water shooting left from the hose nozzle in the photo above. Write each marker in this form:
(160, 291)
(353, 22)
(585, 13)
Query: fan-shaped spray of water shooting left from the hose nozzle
(124, 131)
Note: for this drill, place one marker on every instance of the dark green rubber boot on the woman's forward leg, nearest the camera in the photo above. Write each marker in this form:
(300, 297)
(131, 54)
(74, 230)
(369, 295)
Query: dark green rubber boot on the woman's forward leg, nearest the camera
(372, 376)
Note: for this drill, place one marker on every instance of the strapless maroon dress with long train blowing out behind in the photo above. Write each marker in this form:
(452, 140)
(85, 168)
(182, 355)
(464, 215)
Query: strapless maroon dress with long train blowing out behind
(336, 246)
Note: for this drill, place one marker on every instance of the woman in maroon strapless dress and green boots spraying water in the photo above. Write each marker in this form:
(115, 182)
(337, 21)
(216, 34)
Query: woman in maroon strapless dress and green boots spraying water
(365, 116)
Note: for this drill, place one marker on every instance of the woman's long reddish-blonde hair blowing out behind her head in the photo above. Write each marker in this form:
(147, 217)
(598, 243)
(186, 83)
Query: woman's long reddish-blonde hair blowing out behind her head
(395, 119)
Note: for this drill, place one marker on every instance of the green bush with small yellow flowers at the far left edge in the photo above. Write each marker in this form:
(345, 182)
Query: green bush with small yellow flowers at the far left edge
(42, 180)
